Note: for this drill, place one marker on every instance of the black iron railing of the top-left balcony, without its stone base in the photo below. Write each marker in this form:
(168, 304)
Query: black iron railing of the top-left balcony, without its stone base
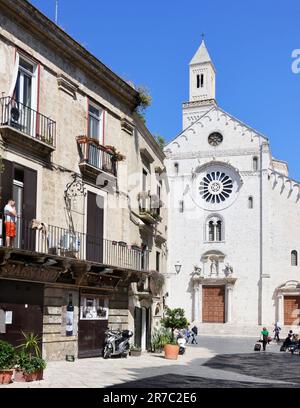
(26, 120)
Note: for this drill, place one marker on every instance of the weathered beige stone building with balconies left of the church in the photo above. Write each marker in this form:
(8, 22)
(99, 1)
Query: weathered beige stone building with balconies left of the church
(79, 161)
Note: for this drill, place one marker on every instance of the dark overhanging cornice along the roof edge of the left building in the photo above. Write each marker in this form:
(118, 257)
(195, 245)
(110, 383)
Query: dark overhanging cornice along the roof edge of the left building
(30, 18)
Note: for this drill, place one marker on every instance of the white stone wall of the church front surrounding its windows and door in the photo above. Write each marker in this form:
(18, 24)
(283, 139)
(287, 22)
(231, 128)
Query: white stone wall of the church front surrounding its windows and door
(244, 230)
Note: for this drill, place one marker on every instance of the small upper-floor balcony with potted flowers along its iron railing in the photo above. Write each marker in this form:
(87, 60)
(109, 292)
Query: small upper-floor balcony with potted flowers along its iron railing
(95, 158)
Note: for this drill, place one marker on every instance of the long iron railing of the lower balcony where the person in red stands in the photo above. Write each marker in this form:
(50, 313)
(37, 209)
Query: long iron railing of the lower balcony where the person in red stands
(62, 242)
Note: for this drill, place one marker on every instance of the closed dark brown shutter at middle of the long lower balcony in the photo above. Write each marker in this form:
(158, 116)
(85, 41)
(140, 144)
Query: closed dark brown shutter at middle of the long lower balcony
(94, 237)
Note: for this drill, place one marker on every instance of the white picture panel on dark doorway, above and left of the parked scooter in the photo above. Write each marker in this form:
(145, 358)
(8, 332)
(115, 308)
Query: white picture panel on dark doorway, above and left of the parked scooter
(93, 308)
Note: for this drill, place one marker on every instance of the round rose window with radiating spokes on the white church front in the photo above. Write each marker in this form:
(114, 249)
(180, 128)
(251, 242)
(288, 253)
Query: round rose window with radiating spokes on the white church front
(216, 187)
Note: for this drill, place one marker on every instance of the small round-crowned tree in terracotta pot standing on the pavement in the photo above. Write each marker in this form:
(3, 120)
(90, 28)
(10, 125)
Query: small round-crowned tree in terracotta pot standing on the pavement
(174, 319)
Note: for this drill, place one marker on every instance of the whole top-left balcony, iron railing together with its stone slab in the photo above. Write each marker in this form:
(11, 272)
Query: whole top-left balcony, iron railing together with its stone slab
(25, 128)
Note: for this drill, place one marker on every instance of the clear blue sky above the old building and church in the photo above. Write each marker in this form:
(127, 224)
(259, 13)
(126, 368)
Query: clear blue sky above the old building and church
(151, 44)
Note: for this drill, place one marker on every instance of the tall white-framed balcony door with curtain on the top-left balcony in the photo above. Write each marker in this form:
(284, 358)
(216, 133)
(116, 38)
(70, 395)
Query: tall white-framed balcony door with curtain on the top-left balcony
(26, 98)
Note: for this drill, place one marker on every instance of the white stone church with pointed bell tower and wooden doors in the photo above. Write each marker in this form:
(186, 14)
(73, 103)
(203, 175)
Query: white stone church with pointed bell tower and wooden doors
(234, 218)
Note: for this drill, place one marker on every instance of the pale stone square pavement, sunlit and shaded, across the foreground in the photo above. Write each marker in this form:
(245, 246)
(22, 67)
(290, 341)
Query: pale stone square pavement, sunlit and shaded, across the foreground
(214, 362)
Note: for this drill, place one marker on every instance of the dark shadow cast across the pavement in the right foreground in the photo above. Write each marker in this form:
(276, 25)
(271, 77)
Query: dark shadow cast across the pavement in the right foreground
(262, 366)
